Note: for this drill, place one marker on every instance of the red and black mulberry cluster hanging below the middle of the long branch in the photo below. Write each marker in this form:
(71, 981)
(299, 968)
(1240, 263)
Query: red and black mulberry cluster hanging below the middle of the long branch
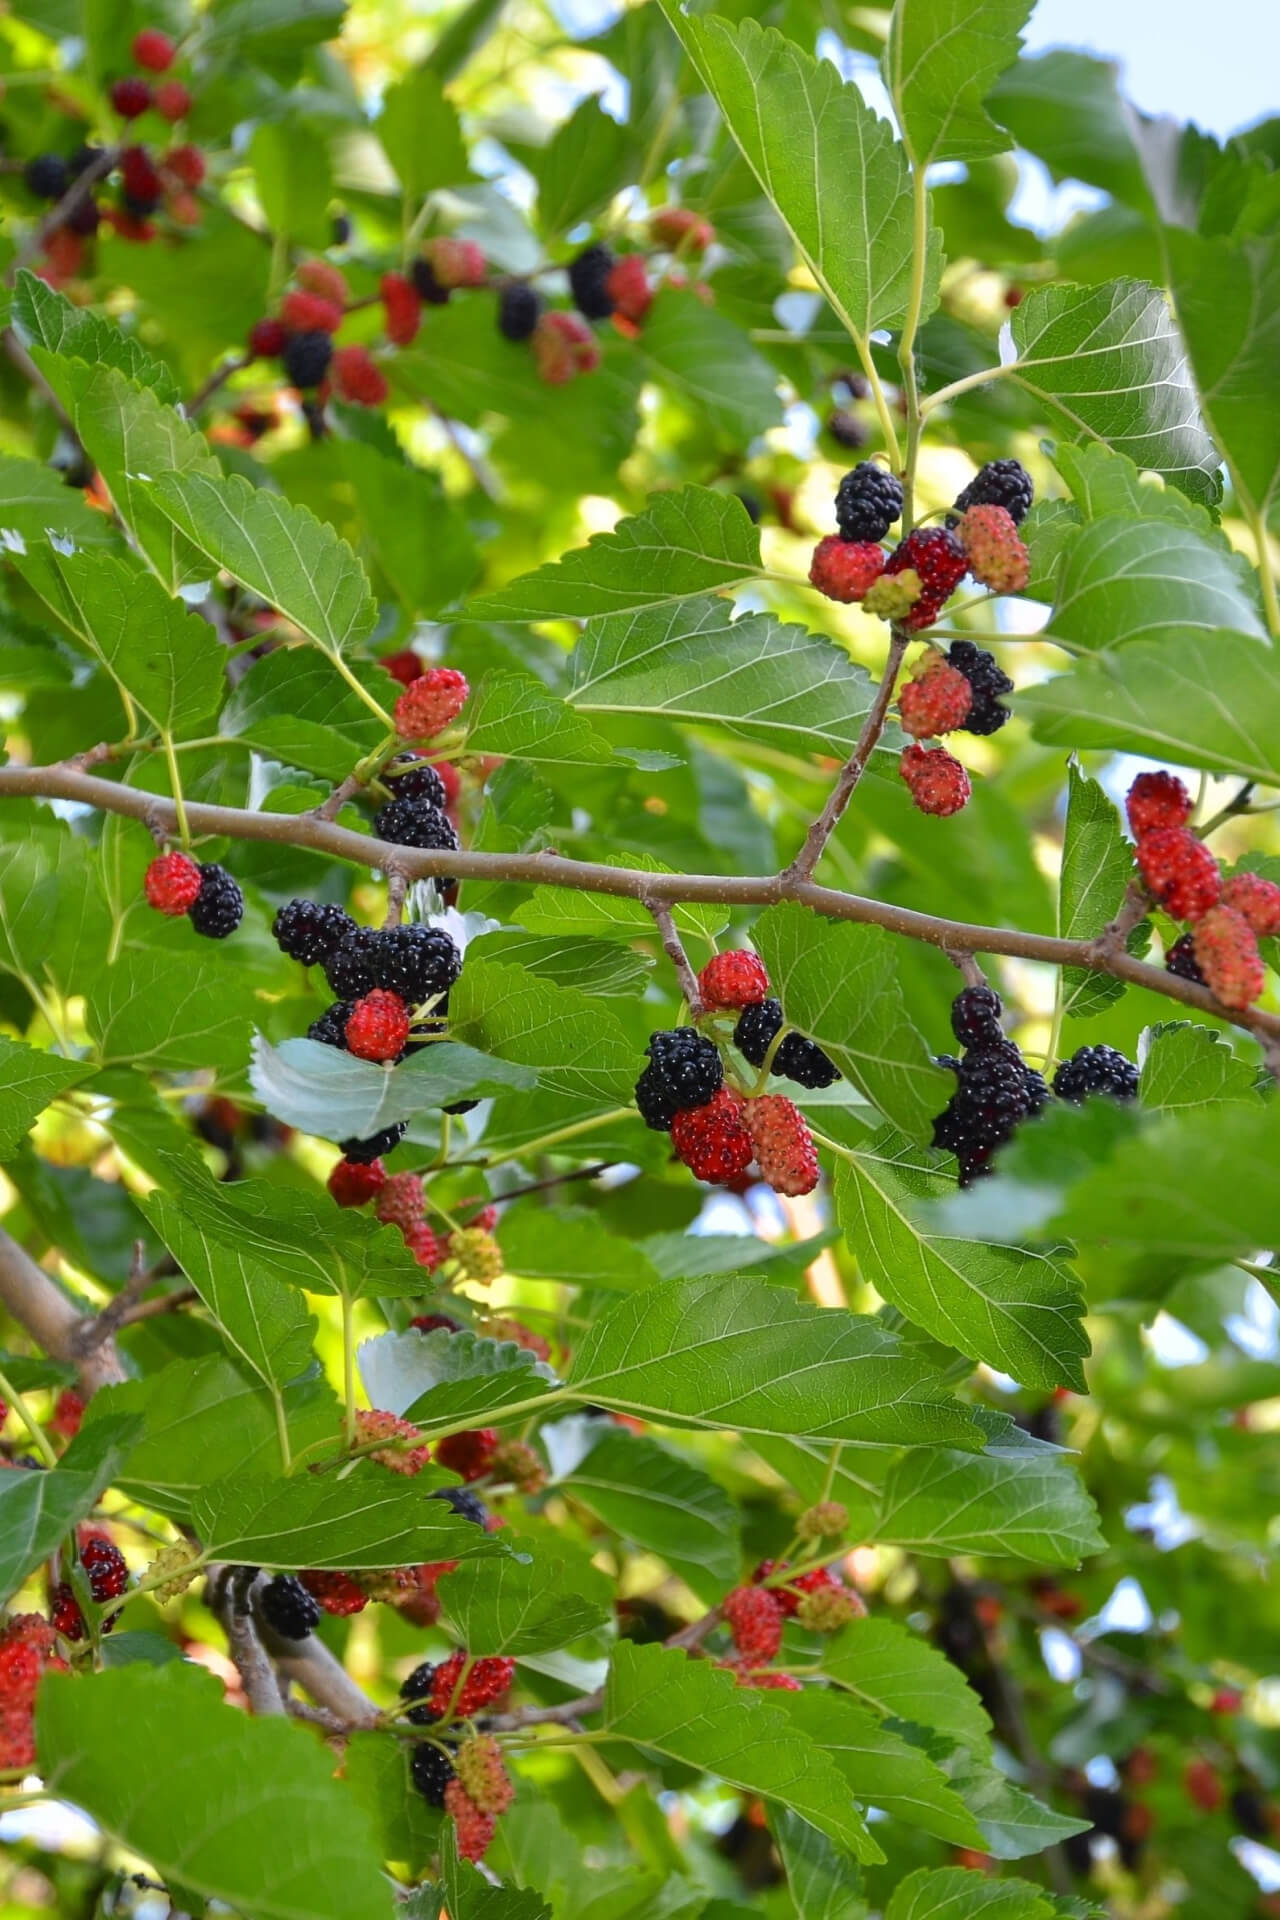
(717, 1130)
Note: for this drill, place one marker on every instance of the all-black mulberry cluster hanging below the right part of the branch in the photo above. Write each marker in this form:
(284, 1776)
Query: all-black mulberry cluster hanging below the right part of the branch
(997, 1092)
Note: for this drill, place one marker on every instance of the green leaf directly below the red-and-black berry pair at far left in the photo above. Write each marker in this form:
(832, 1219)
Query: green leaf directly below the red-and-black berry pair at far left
(149, 1011)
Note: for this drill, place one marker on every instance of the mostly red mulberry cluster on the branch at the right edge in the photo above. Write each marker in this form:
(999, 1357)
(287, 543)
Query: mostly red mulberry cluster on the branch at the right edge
(1227, 917)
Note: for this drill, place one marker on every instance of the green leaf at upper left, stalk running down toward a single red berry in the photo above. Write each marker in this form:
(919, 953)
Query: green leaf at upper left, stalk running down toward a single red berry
(281, 552)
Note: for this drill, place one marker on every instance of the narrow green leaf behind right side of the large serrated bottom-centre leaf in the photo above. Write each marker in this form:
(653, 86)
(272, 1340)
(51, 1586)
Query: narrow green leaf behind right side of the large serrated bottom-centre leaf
(882, 1767)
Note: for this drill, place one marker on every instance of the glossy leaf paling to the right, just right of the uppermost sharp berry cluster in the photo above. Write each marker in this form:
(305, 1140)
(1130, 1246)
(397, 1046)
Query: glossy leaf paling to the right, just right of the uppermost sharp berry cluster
(1126, 579)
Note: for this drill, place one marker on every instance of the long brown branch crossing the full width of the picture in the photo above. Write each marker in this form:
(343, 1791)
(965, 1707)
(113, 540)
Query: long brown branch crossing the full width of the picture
(630, 884)
